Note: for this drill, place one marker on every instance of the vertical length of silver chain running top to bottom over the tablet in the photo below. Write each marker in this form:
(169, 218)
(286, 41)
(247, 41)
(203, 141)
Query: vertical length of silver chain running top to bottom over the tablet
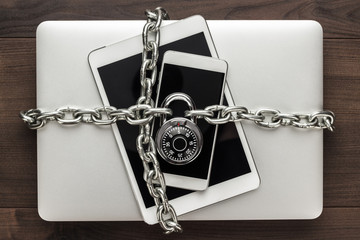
(145, 144)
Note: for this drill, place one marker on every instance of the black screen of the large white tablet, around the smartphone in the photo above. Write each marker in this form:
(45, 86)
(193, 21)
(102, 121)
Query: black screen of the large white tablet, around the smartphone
(122, 86)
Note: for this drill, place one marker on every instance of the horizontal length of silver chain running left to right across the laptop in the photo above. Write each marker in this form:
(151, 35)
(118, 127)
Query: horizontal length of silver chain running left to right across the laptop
(267, 118)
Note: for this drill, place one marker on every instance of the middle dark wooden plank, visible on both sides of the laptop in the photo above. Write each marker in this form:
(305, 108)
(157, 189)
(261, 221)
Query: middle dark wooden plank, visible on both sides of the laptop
(18, 145)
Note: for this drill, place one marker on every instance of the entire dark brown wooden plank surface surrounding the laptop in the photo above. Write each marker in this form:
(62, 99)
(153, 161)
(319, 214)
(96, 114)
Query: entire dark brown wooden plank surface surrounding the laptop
(18, 190)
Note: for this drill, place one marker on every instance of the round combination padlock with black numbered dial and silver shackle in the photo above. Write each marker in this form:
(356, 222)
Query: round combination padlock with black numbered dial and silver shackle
(179, 140)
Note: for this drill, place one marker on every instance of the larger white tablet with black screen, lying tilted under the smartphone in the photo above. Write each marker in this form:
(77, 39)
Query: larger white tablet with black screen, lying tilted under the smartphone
(116, 71)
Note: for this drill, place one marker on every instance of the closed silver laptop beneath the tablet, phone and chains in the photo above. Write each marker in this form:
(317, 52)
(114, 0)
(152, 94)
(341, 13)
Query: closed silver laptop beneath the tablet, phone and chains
(273, 64)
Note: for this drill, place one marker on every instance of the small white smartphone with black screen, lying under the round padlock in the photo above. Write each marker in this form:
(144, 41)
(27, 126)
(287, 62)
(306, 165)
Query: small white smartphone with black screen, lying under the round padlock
(202, 79)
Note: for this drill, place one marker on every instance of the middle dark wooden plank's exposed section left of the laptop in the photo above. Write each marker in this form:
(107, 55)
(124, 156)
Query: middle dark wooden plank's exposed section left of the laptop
(17, 143)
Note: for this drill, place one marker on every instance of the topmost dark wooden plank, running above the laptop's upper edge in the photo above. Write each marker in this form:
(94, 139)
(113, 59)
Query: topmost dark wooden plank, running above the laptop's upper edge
(340, 18)
